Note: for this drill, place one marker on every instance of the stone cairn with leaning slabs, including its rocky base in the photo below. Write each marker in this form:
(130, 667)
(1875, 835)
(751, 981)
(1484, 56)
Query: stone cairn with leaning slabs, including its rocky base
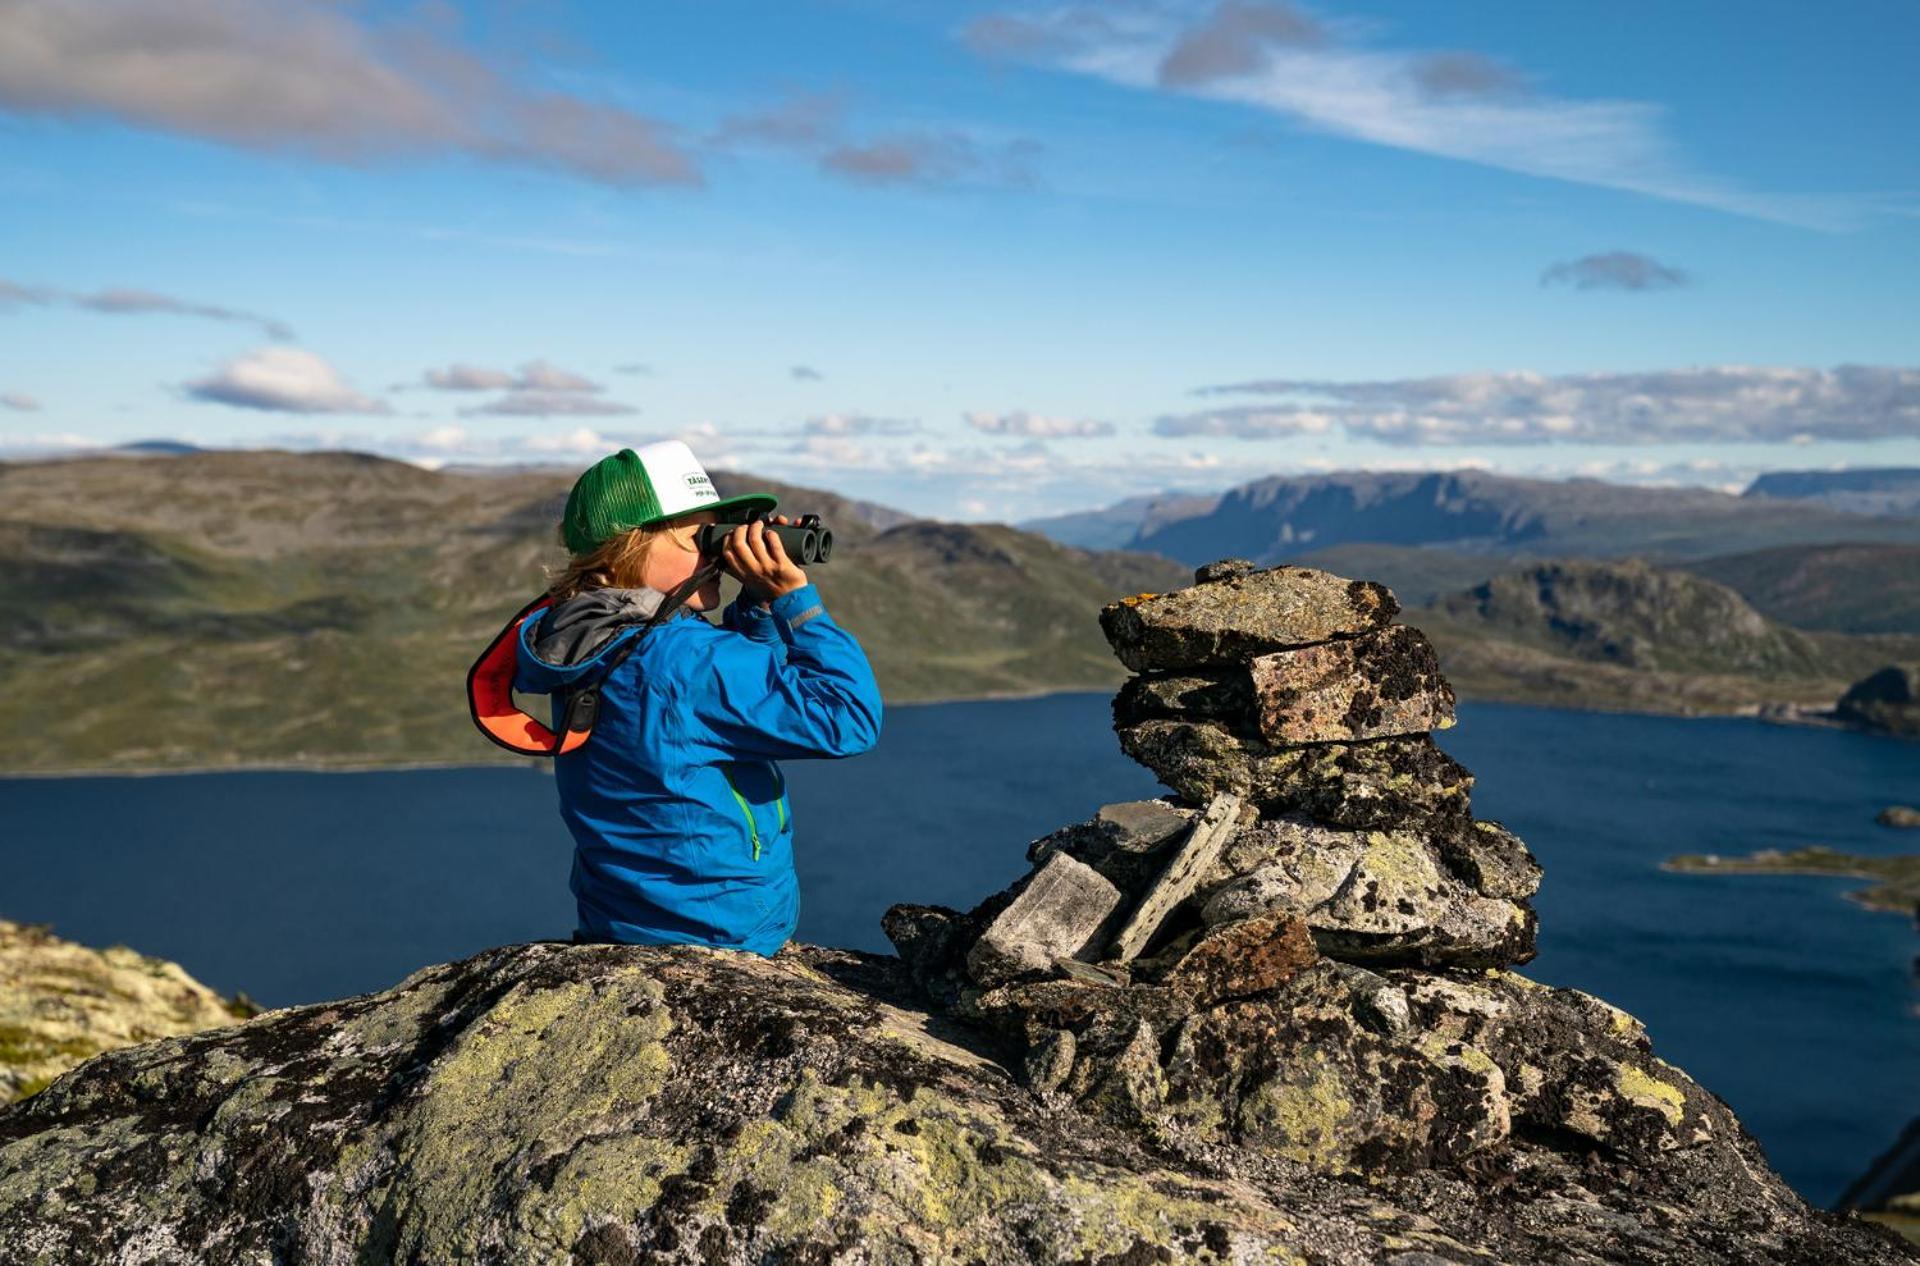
(1305, 950)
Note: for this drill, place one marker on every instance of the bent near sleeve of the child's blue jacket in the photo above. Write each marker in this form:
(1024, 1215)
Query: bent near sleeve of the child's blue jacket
(821, 700)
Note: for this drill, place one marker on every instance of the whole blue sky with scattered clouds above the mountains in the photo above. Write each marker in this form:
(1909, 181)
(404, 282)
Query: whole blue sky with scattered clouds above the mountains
(974, 260)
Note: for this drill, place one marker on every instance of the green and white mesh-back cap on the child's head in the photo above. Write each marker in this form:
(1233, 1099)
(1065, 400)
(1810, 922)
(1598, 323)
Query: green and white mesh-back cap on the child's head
(635, 489)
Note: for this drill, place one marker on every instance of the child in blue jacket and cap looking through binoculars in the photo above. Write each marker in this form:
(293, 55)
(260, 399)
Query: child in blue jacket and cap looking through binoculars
(677, 804)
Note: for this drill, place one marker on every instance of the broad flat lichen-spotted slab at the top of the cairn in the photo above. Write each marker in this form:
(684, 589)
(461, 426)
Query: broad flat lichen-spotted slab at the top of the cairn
(1241, 614)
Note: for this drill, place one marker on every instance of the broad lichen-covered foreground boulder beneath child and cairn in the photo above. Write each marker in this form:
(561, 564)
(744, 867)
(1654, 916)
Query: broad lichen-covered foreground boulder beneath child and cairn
(606, 1106)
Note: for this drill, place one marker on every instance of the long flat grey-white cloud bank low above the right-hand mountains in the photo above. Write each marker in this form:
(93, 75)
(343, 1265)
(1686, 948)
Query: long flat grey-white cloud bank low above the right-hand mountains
(1727, 404)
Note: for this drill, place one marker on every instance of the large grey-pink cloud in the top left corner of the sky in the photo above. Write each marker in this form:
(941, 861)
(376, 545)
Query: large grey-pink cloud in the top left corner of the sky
(320, 80)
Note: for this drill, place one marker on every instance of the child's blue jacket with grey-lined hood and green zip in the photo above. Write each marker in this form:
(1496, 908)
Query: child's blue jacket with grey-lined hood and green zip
(679, 808)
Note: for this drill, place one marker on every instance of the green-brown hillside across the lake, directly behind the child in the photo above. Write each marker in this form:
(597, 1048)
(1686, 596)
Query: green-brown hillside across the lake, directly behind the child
(245, 608)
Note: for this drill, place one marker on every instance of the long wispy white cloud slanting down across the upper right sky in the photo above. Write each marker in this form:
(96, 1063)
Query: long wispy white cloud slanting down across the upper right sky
(1330, 78)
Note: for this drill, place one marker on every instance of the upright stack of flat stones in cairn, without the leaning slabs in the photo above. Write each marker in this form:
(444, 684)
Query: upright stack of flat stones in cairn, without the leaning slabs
(1297, 693)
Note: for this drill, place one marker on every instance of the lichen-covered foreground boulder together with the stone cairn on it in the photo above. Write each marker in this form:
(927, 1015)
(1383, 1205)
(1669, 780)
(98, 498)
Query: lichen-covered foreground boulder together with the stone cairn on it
(1268, 1017)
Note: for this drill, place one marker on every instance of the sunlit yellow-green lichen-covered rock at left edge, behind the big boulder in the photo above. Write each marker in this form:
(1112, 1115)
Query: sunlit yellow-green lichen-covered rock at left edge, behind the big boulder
(62, 1002)
